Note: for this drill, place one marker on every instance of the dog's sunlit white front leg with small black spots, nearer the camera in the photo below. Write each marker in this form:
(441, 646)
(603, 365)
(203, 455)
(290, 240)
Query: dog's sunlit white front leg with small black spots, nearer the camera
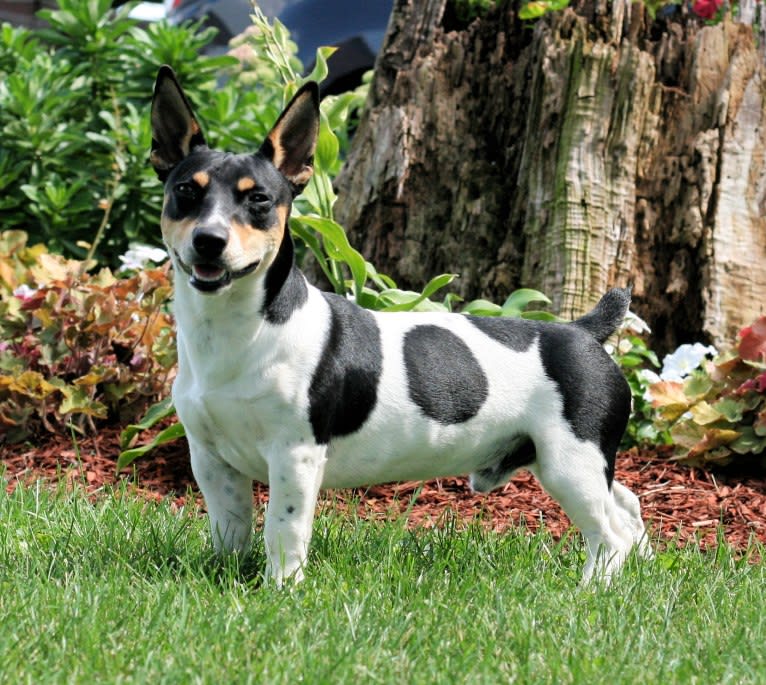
(295, 474)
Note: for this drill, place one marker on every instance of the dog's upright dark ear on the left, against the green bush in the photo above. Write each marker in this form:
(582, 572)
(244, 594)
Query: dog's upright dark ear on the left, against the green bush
(175, 131)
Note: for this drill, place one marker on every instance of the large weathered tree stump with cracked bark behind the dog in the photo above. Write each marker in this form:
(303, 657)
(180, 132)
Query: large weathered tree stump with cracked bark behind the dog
(597, 148)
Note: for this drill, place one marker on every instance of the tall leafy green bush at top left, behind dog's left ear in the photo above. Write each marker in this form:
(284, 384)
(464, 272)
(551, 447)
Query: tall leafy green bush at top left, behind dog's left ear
(74, 113)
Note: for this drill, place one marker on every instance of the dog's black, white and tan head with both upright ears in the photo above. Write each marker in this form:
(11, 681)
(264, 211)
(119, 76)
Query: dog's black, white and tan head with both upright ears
(224, 215)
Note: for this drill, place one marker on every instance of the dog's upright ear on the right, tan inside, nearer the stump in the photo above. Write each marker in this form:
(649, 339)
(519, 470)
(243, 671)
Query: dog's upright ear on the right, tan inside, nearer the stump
(291, 143)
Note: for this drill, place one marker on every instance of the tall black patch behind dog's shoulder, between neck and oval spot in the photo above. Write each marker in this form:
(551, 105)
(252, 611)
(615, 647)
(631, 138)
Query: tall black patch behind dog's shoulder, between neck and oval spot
(344, 387)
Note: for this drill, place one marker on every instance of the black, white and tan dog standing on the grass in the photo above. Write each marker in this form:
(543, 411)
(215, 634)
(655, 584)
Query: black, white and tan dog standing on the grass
(300, 389)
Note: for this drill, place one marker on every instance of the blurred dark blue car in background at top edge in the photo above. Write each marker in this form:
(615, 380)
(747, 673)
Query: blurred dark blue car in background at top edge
(354, 27)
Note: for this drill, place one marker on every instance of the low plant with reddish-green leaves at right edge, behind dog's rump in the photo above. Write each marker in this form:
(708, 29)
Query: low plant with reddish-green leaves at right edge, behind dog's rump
(718, 411)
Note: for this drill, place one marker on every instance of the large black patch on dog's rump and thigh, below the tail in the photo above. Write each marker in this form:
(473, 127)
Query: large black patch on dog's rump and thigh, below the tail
(595, 393)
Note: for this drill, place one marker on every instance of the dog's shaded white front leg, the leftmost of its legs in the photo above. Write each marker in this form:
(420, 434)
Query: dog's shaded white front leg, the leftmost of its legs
(229, 499)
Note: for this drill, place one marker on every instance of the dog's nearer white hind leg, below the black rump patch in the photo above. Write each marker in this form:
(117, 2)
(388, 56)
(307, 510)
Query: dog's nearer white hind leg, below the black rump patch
(572, 472)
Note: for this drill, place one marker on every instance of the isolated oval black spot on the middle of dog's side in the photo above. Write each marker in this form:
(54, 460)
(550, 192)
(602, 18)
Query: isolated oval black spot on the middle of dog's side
(443, 377)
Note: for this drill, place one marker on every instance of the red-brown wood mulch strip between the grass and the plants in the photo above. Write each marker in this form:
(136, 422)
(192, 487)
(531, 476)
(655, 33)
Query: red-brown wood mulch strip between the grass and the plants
(680, 503)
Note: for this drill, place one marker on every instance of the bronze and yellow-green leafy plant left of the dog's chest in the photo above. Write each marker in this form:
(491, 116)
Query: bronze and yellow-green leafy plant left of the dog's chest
(77, 347)
